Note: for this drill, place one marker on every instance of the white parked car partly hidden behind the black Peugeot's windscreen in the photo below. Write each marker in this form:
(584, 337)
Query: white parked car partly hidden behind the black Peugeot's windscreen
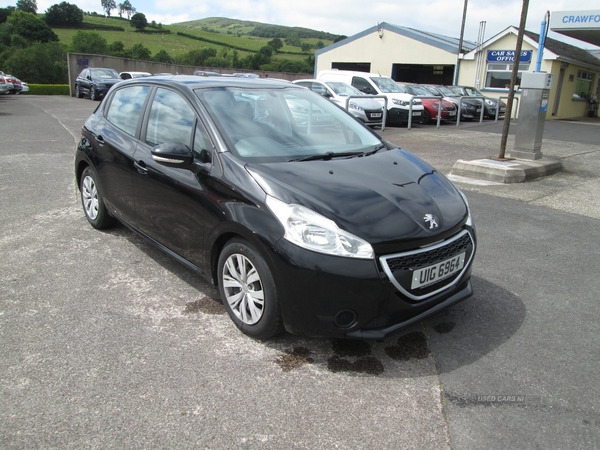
(368, 110)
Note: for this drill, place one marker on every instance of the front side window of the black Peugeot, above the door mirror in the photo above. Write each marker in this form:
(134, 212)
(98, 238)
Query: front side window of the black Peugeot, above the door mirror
(171, 119)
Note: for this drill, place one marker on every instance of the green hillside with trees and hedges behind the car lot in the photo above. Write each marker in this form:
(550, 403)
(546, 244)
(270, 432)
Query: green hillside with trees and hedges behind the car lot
(29, 49)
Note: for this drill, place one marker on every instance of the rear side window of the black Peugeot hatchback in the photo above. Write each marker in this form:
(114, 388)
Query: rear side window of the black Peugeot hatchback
(126, 107)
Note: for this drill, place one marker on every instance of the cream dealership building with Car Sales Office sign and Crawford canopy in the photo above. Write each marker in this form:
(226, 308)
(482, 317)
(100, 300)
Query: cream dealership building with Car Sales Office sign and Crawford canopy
(410, 55)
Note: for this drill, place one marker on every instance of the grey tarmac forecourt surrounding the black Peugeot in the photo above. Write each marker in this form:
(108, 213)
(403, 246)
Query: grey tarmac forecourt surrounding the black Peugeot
(108, 343)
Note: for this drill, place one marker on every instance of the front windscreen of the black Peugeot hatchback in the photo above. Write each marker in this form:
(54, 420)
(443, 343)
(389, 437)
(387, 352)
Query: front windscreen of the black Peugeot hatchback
(277, 124)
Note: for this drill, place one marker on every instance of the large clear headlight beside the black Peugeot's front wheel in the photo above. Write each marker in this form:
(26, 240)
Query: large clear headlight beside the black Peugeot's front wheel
(312, 231)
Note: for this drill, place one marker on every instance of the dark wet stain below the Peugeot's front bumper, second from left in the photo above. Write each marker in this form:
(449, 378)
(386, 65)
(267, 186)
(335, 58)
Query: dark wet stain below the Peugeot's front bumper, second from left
(344, 349)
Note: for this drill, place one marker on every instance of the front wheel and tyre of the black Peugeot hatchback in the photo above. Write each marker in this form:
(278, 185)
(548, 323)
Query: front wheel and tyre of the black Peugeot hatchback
(248, 290)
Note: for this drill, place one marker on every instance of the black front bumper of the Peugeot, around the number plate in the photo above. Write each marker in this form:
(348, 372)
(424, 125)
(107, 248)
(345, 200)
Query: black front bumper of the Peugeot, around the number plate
(326, 296)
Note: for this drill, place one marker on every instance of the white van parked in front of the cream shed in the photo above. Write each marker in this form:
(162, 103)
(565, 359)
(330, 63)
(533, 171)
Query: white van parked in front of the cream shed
(375, 84)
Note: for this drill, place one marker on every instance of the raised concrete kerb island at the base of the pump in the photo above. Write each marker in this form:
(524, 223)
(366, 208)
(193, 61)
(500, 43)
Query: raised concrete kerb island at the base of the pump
(508, 170)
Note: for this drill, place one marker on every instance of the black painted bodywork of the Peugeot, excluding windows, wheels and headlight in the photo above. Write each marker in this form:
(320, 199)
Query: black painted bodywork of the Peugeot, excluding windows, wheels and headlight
(192, 212)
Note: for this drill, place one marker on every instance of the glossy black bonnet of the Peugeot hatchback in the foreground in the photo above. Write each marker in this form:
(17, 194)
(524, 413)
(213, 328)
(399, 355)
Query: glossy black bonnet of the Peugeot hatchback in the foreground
(384, 197)
